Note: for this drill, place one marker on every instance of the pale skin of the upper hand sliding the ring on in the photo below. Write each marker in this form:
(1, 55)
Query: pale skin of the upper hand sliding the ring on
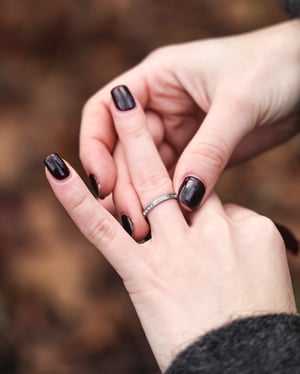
(208, 104)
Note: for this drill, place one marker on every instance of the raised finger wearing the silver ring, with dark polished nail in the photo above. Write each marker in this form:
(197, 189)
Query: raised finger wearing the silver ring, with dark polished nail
(147, 171)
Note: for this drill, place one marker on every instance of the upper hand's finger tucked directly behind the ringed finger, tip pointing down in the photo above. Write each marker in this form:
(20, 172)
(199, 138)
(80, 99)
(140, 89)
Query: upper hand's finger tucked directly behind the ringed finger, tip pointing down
(127, 201)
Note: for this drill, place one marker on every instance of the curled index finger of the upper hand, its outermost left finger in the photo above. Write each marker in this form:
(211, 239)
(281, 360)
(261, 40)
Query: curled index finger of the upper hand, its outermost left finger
(97, 133)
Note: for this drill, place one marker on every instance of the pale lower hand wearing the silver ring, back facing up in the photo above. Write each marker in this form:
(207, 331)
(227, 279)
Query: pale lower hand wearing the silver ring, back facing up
(197, 272)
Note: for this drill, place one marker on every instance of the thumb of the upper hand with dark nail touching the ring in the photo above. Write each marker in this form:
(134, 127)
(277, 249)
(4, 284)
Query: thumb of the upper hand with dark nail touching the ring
(207, 154)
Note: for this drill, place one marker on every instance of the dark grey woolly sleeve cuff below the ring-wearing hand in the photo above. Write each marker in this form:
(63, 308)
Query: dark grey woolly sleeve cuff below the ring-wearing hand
(257, 345)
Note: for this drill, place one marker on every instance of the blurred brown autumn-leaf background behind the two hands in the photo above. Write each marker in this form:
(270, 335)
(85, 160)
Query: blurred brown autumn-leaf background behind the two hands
(63, 309)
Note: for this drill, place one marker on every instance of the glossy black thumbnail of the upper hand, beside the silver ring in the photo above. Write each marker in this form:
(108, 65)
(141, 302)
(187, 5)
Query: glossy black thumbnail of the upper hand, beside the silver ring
(191, 192)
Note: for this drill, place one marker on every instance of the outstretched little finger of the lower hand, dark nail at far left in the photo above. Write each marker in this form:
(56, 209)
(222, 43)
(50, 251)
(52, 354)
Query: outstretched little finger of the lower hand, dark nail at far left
(91, 218)
